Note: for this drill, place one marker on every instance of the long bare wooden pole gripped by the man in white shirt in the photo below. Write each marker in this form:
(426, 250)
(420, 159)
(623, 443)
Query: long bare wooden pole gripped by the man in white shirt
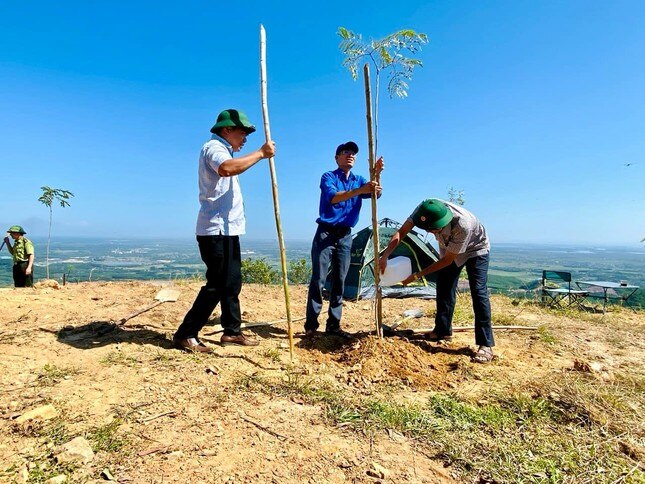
(274, 185)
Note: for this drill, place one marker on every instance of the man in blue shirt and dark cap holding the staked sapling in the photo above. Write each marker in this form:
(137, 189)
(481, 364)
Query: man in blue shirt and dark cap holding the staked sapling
(341, 198)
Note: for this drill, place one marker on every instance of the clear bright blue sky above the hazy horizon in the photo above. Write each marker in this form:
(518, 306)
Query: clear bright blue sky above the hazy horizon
(536, 110)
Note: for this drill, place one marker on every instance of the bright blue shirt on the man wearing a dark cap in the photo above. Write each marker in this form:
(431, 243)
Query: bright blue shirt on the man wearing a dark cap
(342, 214)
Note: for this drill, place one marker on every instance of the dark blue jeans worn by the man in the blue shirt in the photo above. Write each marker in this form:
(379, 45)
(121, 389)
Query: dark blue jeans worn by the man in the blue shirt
(331, 247)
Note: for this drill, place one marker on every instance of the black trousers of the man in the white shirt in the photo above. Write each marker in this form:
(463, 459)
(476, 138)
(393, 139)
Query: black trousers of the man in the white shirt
(221, 254)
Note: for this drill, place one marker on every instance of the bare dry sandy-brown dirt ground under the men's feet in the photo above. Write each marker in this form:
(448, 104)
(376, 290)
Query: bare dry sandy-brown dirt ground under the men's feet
(157, 414)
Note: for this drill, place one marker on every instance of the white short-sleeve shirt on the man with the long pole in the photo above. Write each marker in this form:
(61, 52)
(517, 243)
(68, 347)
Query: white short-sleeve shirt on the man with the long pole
(221, 206)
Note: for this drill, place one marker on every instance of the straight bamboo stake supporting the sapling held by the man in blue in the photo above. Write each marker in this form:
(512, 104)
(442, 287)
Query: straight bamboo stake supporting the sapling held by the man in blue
(378, 309)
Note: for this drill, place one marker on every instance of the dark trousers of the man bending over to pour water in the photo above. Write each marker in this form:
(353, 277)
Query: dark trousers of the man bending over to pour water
(447, 279)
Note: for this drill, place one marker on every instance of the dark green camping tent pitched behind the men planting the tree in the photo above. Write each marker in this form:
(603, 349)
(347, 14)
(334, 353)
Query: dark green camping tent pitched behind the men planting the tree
(360, 278)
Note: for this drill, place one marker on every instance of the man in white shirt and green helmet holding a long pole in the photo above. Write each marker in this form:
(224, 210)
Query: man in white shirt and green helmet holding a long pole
(219, 224)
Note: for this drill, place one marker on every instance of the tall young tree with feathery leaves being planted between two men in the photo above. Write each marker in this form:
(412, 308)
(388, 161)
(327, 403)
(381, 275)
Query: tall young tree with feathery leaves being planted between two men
(386, 55)
